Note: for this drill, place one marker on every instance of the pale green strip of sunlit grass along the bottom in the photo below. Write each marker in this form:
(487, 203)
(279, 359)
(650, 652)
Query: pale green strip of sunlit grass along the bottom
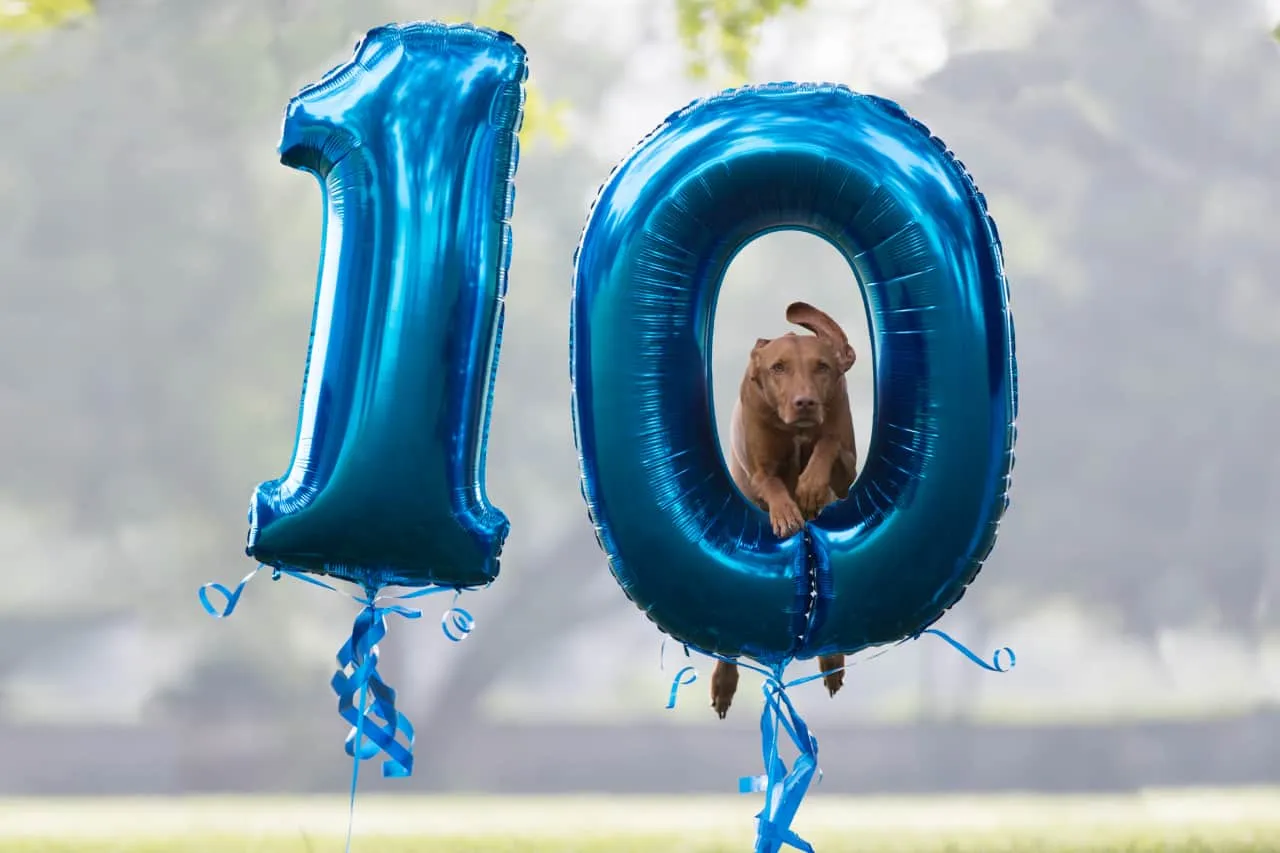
(1215, 822)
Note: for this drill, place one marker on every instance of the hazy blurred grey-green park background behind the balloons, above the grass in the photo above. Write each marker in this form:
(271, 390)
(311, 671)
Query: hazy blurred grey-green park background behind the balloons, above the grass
(158, 271)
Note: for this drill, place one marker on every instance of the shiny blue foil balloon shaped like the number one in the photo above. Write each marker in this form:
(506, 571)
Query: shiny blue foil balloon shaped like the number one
(414, 143)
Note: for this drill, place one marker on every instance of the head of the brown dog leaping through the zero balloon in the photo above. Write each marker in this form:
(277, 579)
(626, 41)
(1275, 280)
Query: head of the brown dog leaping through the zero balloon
(801, 376)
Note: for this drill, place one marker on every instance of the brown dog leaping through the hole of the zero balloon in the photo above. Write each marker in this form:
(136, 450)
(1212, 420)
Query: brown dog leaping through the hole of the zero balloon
(793, 444)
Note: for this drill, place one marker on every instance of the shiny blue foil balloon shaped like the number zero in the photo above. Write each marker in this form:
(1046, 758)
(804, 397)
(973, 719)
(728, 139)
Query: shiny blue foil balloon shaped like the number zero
(683, 542)
